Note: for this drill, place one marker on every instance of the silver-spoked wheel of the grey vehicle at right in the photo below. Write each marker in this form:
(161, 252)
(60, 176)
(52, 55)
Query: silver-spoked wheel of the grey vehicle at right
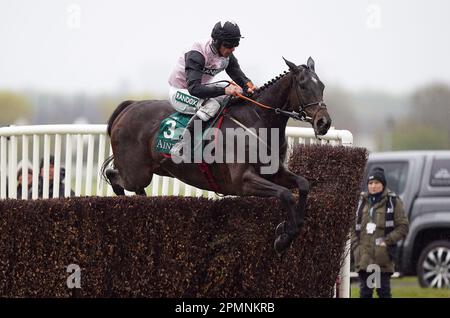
(433, 267)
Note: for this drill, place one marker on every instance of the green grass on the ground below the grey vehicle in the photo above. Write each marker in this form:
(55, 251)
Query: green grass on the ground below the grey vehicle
(407, 287)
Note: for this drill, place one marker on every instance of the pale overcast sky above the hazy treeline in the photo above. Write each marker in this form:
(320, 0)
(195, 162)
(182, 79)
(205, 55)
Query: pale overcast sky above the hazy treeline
(99, 46)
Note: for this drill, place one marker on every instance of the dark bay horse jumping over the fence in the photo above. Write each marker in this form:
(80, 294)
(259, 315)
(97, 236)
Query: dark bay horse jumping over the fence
(134, 126)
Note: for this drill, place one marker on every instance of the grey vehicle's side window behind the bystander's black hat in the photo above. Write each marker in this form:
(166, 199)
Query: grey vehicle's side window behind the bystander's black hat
(396, 174)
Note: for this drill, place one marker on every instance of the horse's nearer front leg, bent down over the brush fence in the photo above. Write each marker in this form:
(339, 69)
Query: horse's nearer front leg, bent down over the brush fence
(287, 231)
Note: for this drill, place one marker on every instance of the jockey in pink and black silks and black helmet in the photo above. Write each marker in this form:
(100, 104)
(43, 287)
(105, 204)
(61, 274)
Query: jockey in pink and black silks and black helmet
(189, 92)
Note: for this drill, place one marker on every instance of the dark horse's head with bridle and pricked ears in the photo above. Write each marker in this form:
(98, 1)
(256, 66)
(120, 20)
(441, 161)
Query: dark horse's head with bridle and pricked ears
(306, 96)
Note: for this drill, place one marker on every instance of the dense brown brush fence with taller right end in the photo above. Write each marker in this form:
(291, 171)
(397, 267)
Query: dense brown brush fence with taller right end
(183, 247)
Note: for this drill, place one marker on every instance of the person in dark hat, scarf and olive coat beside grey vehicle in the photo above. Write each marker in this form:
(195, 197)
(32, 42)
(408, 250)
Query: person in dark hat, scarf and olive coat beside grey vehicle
(380, 224)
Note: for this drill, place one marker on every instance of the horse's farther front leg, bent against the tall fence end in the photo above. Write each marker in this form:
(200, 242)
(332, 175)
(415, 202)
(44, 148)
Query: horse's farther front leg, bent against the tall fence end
(288, 179)
